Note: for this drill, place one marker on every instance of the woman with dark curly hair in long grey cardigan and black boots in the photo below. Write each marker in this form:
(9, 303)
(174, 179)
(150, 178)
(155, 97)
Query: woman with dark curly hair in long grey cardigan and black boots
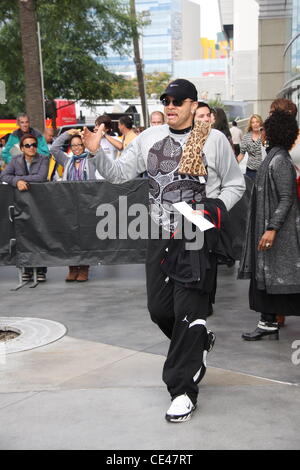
(271, 255)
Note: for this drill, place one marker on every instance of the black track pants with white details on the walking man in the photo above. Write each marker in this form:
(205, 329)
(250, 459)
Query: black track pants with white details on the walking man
(181, 314)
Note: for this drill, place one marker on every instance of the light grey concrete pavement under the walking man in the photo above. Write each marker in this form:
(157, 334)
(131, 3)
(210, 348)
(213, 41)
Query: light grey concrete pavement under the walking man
(100, 387)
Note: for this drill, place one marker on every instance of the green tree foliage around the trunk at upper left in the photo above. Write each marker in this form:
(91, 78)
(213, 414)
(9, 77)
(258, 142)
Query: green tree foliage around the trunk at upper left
(73, 34)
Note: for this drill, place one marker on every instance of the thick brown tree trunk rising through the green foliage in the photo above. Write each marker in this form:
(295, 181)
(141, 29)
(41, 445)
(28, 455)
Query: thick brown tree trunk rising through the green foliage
(31, 59)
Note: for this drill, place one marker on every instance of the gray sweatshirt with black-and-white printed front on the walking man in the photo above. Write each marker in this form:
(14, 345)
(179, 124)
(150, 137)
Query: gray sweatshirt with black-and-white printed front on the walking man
(158, 151)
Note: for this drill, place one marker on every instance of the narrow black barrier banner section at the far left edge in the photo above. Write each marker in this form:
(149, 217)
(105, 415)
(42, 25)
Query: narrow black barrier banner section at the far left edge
(7, 229)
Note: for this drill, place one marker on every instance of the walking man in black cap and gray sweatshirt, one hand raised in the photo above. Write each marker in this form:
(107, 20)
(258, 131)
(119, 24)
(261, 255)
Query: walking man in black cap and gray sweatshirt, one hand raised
(178, 310)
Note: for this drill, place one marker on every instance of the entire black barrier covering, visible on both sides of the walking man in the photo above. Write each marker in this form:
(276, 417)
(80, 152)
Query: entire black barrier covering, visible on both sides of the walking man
(85, 222)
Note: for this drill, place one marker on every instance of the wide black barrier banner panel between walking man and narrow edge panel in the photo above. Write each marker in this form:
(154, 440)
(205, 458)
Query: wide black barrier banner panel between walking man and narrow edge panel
(77, 223)
